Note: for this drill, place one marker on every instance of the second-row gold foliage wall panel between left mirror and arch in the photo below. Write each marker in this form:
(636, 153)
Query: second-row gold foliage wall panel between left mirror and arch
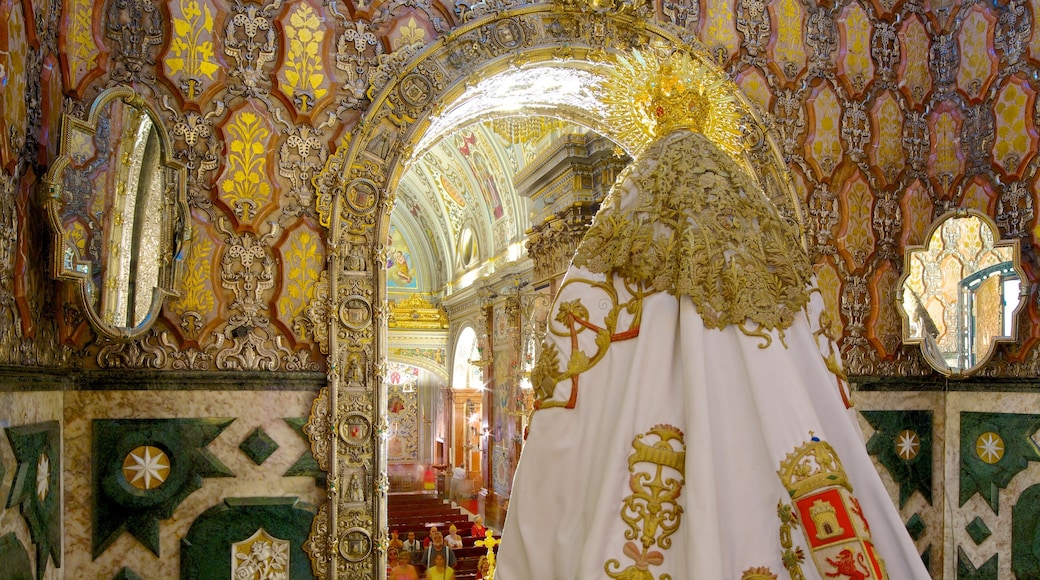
(246, 188)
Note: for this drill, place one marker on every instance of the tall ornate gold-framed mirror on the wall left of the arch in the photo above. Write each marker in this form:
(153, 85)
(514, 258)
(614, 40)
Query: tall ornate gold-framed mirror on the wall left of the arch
(117, 205)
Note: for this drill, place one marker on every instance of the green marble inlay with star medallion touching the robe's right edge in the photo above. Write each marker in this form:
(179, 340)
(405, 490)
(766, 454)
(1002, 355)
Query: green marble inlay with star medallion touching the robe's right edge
(903, 443)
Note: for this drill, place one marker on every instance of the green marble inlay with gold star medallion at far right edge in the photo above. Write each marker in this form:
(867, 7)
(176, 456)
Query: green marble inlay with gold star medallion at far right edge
(996, 447)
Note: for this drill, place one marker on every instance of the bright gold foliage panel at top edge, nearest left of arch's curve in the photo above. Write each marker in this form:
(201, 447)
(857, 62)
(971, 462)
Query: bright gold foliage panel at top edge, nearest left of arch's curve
(303, 75)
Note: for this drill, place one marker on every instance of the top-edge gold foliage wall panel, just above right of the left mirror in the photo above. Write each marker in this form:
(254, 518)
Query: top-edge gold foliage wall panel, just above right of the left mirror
(192, 55)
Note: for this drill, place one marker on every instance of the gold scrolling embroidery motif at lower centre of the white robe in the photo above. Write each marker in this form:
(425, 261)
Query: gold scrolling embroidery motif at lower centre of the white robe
(653, 512)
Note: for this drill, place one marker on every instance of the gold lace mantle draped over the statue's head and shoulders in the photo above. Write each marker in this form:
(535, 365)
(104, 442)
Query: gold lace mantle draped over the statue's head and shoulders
(688, 221)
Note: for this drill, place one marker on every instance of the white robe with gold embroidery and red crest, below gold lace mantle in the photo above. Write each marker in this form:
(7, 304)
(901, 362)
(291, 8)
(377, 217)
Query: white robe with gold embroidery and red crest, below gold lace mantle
(743, 412)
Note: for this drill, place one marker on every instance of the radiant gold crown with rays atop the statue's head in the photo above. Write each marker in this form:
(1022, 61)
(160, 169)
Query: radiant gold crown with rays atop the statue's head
(651, 95)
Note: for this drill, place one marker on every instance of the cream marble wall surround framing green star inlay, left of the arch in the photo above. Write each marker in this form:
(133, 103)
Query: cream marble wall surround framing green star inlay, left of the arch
(250, 410)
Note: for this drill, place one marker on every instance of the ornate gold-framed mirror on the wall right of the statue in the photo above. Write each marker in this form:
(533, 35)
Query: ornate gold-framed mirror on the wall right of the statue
(961, 294)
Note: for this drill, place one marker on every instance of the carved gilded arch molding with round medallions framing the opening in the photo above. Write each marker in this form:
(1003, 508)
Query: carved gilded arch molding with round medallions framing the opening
(348, 427)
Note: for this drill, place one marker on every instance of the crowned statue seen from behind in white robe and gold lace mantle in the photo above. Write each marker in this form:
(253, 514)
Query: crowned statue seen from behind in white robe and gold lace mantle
(692, 421)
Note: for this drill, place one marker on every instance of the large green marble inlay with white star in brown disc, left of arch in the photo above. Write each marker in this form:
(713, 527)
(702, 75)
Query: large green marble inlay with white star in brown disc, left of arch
(143, 469)
